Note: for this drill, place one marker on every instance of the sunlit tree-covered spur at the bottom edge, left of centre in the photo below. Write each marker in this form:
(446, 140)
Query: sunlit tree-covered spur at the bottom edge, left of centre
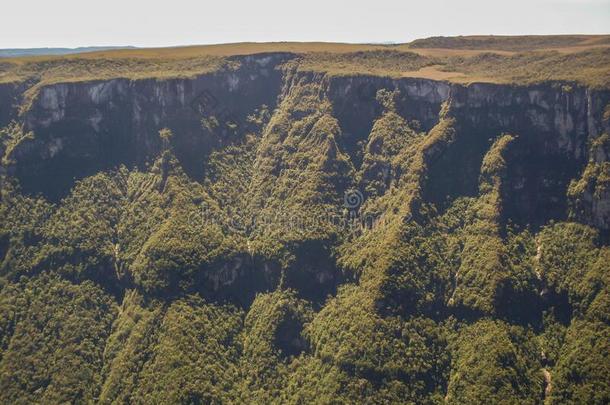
(194, 355)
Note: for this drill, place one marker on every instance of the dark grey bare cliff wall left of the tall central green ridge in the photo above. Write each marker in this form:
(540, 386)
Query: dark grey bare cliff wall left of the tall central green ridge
(82, 128)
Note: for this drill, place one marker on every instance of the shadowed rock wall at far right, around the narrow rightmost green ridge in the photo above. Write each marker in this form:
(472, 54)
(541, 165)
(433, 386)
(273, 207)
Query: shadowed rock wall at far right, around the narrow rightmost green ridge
(554, 126)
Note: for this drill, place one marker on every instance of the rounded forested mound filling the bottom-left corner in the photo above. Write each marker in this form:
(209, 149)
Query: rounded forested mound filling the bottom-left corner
(57, 334)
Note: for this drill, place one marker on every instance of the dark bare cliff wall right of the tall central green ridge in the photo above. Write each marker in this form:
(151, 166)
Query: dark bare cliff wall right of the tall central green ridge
(554, 126)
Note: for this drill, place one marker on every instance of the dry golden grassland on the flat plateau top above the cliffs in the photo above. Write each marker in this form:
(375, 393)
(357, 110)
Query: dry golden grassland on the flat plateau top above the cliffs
(527, 59)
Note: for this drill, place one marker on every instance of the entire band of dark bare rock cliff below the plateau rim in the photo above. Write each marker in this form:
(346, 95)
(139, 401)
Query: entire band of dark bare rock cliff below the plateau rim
(81, 128)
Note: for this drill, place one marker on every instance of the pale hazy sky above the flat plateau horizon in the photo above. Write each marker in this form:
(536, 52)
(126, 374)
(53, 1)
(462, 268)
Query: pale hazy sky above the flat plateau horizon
(152, 23)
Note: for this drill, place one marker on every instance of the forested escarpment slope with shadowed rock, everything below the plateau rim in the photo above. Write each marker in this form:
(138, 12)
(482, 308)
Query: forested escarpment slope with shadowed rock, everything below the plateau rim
(437, 253)
